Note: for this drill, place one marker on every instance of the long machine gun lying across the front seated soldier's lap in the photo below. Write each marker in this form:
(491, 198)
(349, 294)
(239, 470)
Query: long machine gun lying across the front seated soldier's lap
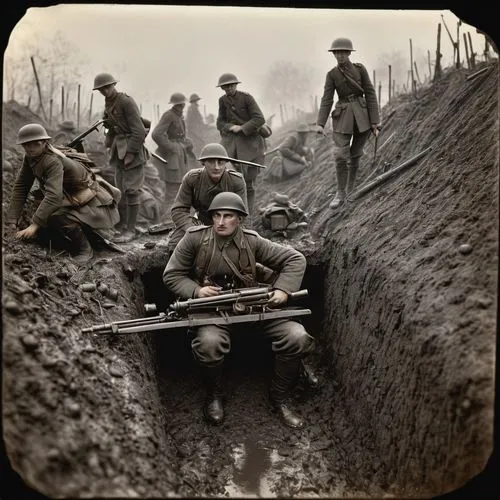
(243, 305)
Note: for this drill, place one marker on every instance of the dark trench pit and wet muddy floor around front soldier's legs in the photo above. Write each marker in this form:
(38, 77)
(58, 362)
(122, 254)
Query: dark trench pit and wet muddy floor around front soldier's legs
(251, 453)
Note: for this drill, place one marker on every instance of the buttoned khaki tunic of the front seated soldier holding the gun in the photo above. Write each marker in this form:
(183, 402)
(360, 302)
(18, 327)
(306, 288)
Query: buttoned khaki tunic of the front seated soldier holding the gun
(183, 274)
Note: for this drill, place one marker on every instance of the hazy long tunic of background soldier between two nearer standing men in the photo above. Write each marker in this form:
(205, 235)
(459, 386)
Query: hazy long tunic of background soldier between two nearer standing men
(170, 135)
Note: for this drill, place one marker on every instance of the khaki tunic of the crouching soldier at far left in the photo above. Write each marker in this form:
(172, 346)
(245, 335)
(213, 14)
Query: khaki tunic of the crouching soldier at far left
(58, 177)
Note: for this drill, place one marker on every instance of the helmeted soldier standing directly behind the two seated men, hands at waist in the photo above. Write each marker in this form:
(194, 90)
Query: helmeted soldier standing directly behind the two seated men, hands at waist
(240, 123)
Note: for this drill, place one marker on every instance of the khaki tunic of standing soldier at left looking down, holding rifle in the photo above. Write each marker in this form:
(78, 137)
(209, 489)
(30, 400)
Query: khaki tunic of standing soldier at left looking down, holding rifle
(126, 131)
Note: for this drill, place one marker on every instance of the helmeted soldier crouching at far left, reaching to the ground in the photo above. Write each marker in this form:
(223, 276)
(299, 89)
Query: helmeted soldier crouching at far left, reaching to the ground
(74, 202)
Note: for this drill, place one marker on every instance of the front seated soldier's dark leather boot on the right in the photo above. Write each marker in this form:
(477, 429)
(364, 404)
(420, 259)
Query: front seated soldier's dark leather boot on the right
(286, 373)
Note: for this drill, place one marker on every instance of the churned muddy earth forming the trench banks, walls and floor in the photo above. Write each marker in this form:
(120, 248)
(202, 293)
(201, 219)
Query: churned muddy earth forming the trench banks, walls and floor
(403, 292)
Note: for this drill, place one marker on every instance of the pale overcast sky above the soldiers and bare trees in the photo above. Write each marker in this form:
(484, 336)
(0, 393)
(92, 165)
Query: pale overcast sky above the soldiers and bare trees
(156, 50)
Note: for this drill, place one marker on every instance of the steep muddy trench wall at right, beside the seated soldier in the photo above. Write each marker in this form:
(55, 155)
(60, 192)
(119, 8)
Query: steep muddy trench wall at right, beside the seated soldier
(411, 304)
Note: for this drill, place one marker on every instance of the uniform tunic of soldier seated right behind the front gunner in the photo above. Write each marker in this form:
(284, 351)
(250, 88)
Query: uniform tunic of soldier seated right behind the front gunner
(197, 191)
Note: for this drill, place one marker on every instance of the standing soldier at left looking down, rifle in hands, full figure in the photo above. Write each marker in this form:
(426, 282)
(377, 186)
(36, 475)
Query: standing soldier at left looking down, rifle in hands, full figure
(127, 152)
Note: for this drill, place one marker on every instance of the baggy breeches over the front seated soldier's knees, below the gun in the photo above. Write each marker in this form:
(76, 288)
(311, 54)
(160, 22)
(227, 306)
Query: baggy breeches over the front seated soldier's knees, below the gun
(288, 338)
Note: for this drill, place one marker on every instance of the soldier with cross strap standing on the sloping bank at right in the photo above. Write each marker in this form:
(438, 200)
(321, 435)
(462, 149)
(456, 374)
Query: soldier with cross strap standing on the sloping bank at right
(355, 116)
